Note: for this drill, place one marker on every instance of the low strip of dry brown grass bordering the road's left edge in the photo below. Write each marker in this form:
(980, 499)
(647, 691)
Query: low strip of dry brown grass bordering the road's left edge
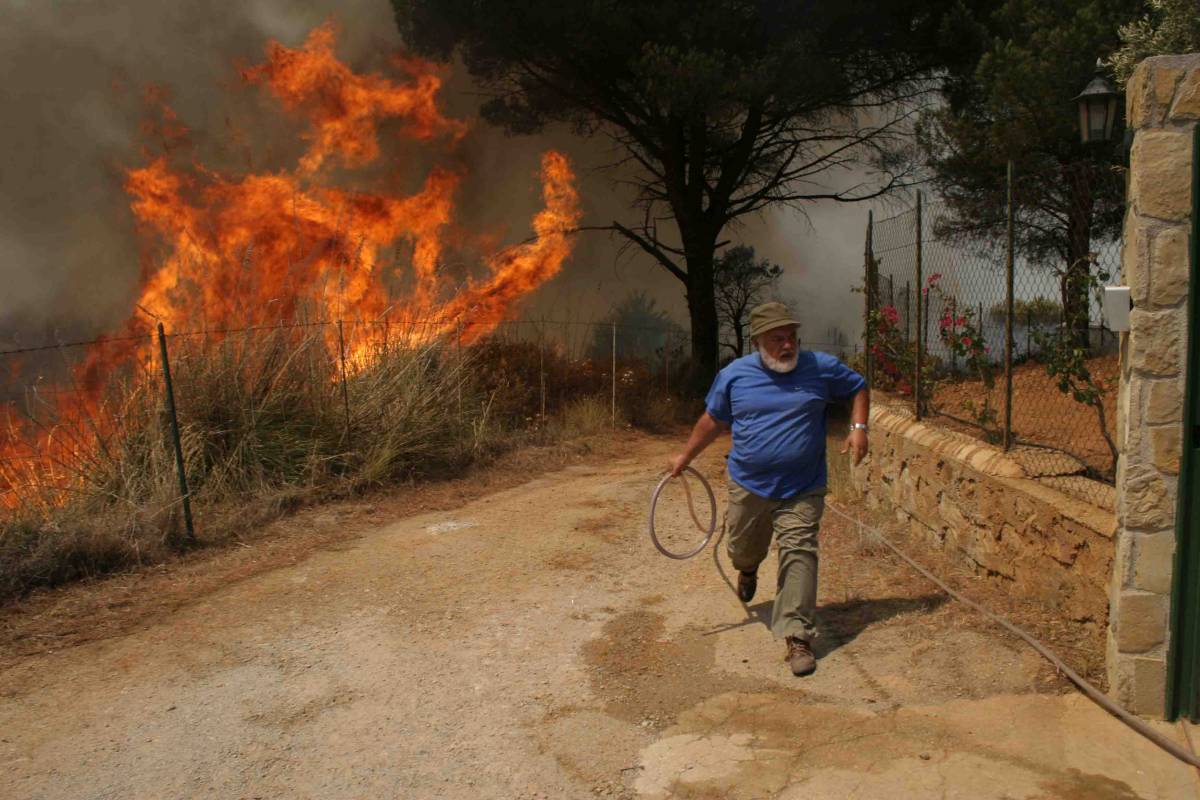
(52, 619)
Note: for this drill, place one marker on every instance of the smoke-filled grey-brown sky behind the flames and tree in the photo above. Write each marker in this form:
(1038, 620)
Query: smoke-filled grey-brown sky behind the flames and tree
(76, 71)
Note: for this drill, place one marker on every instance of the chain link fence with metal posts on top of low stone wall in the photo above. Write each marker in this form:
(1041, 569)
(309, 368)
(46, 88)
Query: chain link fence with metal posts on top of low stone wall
(945, 296)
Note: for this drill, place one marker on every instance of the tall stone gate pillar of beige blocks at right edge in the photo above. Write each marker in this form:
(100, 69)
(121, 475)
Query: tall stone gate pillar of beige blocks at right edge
(1163, 107)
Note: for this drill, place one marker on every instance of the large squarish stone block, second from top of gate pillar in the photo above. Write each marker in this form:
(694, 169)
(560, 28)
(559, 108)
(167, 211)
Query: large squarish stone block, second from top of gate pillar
(1161, 165)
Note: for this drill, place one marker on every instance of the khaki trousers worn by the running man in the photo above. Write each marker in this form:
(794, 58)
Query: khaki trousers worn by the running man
(751, 524)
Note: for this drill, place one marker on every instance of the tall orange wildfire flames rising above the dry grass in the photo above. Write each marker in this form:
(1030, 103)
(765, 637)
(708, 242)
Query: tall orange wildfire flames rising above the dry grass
(227, 251)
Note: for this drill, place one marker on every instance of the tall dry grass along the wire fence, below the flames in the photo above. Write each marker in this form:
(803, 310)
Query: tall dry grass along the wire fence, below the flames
(267, 430)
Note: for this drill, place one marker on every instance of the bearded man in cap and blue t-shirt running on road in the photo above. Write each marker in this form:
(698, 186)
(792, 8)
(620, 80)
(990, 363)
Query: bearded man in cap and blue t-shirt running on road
(775, 400)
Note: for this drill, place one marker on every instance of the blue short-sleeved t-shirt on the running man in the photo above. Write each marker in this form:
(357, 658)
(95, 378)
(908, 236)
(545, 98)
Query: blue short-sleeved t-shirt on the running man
(778, 419)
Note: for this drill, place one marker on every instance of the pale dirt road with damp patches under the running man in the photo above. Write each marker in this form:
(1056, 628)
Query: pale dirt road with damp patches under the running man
(532, 645)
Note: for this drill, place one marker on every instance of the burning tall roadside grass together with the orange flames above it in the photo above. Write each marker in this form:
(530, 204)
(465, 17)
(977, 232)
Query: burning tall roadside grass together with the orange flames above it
(267, 420)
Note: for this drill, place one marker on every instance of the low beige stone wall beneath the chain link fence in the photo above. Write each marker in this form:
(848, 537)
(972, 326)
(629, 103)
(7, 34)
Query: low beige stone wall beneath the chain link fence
(981, 504)
